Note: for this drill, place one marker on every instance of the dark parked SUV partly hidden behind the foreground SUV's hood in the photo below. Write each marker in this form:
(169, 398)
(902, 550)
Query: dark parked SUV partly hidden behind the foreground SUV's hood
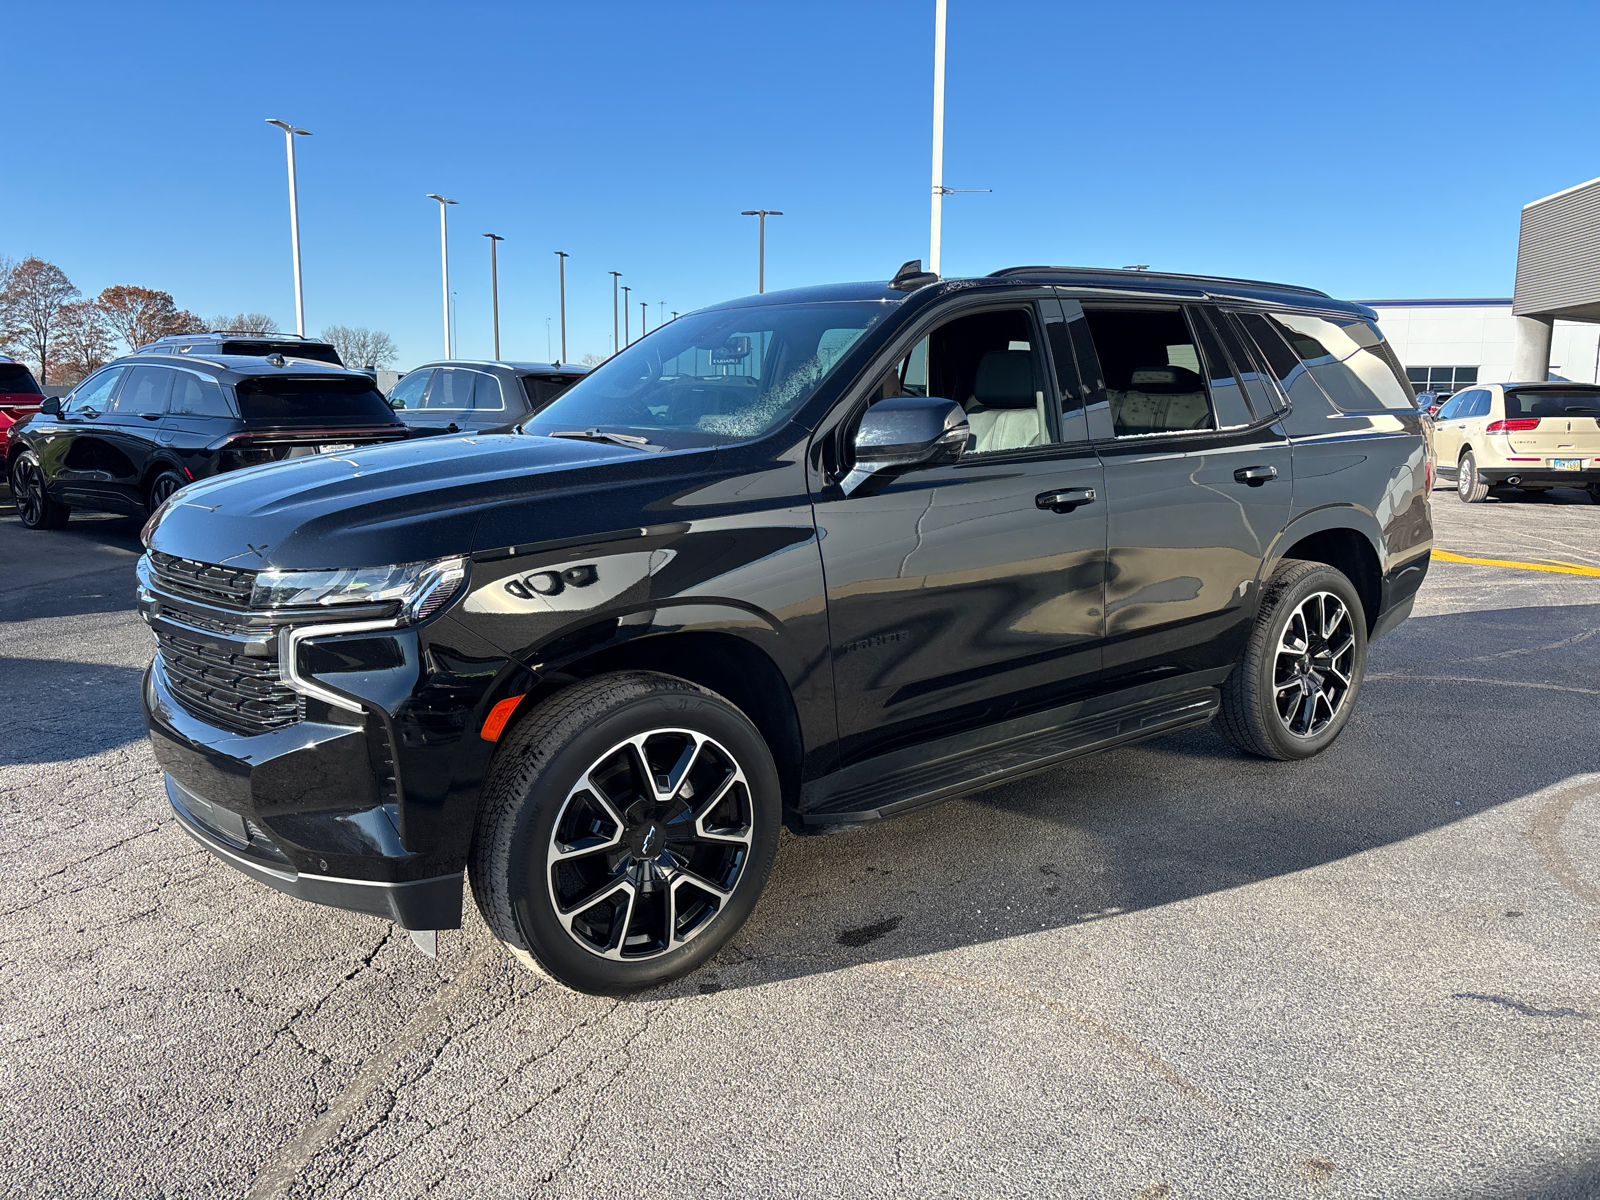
(470, 398)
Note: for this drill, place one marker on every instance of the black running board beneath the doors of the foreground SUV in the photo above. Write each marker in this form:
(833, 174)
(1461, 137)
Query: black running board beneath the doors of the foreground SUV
(908, 780)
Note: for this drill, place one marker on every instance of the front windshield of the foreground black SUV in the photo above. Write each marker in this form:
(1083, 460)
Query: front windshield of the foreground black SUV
(716, 377)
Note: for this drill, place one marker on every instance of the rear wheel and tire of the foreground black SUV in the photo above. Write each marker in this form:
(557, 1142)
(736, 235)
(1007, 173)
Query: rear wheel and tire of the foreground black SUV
(1294, 690)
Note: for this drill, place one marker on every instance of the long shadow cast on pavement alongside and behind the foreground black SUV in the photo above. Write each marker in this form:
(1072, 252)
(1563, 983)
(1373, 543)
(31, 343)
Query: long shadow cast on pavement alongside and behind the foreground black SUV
(1186, 815)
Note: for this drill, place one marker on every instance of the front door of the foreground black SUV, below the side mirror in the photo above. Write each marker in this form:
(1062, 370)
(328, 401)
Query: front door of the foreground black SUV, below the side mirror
(954, 599)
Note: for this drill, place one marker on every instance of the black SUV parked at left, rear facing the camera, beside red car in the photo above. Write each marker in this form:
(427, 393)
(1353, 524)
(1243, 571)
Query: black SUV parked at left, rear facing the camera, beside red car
(140, 430)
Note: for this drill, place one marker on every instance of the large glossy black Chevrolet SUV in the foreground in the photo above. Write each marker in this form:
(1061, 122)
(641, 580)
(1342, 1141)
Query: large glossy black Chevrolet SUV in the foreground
(809, 558)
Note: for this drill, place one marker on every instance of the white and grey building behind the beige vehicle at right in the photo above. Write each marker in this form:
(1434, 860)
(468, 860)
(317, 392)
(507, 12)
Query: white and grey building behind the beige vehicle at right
(1548, 329)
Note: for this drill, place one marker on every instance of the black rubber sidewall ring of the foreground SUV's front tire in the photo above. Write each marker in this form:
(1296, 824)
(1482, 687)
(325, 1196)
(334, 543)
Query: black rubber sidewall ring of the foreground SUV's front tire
(530, 898)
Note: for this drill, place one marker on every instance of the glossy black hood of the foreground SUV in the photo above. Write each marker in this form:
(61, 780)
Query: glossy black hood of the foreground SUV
(396, 503)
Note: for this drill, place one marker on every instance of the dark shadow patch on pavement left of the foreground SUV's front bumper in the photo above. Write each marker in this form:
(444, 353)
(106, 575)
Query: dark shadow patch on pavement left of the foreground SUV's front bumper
(65, 711)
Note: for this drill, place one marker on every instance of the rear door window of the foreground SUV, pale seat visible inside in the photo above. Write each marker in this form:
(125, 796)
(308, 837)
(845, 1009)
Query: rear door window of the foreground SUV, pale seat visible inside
(1153, 372)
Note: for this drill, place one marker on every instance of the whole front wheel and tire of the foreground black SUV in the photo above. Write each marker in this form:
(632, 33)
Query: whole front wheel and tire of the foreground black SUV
(626, 831)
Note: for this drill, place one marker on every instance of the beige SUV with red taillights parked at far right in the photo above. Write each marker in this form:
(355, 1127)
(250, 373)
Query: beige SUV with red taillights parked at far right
(1521, 436)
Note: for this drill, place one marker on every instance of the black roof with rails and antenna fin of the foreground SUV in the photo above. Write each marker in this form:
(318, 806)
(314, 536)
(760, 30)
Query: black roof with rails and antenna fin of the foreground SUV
(1066, 278)
